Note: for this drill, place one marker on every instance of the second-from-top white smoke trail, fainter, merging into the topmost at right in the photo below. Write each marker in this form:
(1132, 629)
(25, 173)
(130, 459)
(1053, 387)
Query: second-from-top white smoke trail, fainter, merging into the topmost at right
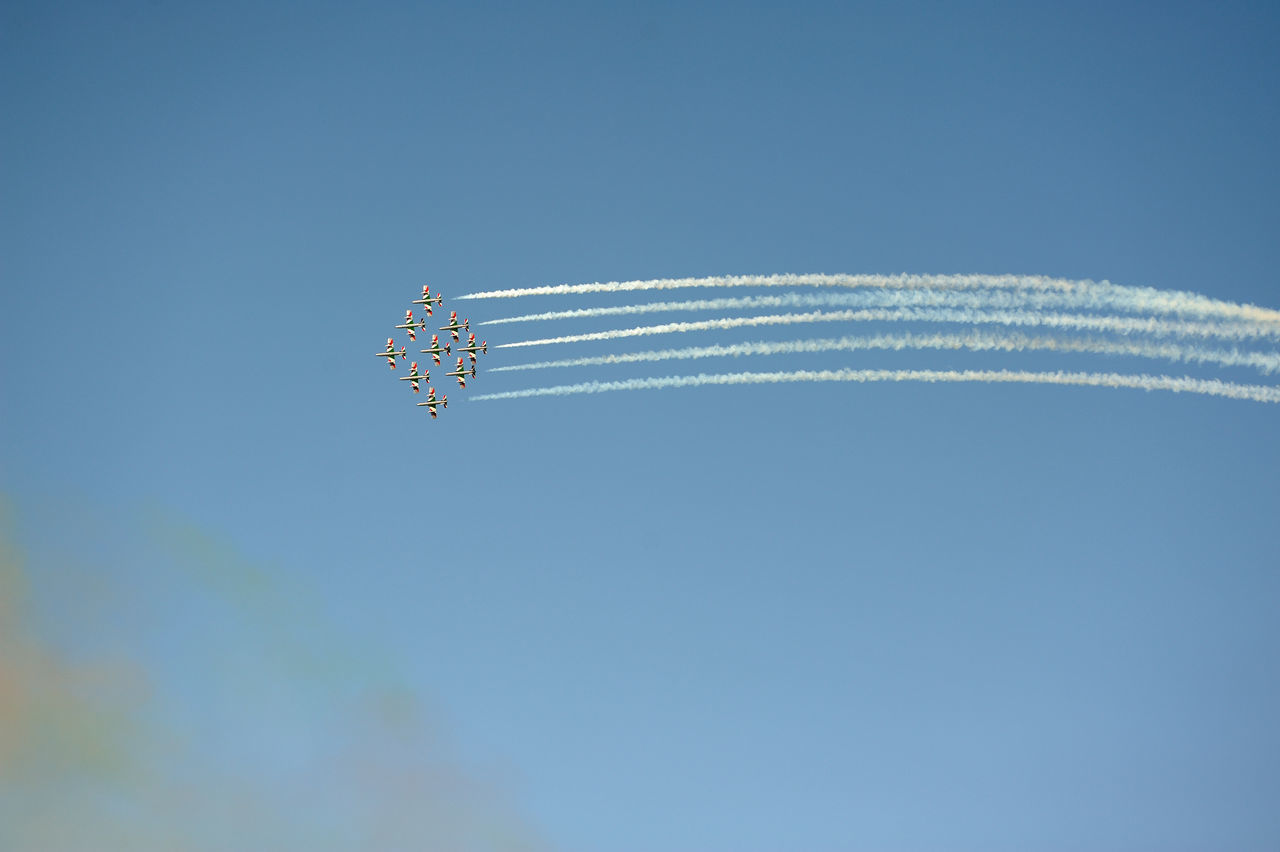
(970, 300)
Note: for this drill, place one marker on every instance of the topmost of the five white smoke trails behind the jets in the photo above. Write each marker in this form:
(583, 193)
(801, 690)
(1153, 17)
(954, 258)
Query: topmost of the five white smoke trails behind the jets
(1108, 295)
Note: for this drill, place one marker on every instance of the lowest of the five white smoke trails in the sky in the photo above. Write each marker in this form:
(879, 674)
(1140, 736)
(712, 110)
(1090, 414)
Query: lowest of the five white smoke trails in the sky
(1141, 382)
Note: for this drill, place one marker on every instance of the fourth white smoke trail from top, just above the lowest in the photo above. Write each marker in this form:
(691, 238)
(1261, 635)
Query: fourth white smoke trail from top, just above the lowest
(1267, 363)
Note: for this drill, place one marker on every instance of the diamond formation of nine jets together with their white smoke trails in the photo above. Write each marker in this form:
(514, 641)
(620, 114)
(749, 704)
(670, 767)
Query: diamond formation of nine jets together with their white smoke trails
(1007, 317)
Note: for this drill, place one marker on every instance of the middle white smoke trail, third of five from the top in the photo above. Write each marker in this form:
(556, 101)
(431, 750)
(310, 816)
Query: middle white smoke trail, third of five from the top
(1086, 323)
